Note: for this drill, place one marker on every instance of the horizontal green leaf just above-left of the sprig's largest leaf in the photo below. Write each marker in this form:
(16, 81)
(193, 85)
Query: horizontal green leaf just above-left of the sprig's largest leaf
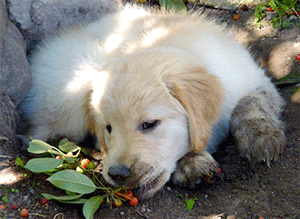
(38, 165)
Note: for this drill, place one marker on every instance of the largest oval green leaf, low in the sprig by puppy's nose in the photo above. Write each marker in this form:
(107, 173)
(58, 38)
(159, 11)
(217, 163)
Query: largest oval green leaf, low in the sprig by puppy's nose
(72, 181)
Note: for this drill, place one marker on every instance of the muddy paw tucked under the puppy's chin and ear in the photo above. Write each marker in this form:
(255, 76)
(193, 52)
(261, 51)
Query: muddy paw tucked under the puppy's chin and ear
(193, 167)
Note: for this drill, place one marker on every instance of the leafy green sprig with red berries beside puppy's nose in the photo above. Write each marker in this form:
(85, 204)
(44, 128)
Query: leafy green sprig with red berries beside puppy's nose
(80, 188)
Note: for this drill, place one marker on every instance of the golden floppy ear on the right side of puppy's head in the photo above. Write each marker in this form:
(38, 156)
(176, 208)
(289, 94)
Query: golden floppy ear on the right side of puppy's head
(201, 95)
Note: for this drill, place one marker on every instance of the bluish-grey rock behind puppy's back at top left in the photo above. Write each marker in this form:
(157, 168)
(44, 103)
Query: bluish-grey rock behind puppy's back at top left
(38, 18)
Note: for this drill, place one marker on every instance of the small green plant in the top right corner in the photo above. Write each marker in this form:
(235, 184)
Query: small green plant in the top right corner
(283, 9)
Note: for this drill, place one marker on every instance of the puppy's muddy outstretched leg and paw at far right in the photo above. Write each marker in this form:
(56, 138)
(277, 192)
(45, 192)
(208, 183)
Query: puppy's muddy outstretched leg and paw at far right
(256, 125)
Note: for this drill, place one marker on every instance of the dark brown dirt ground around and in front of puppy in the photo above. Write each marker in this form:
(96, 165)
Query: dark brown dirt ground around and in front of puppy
(246, 191)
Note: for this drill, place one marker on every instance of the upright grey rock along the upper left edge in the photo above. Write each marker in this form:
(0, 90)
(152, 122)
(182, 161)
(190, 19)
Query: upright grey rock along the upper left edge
(15, 74)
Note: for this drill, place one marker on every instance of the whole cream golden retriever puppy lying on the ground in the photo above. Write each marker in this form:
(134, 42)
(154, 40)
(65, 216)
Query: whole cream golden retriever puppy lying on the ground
(159, 90)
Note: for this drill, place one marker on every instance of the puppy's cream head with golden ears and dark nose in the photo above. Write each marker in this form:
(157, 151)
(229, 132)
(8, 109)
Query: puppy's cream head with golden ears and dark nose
(148, 110)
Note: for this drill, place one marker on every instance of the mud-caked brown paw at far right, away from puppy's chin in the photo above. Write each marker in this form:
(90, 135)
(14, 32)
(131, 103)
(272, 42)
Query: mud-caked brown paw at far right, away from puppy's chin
(260, 139)
